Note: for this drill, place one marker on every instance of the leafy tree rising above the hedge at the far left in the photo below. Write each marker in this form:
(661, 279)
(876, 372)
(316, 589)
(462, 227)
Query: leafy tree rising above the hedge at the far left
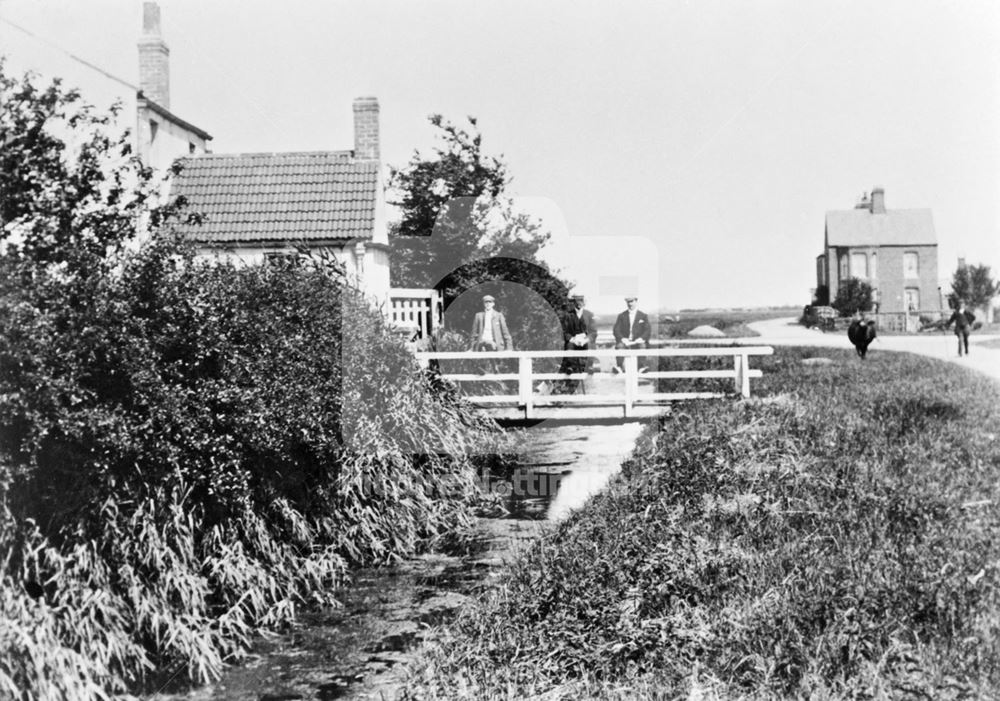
(70, 191)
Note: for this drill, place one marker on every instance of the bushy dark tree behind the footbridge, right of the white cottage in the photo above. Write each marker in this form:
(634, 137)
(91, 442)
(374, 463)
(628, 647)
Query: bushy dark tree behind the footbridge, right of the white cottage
(460, 232)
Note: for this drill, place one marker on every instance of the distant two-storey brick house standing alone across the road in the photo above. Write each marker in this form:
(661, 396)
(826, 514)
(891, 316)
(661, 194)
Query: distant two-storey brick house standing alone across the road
(895, 251)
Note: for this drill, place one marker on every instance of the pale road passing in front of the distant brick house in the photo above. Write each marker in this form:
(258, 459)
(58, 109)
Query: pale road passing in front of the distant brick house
(934, 344)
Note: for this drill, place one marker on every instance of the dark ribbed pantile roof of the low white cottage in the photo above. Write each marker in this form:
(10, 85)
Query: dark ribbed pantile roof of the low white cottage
(278, 197)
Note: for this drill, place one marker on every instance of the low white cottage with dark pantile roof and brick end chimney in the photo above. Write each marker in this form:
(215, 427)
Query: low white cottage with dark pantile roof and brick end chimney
(259, 205)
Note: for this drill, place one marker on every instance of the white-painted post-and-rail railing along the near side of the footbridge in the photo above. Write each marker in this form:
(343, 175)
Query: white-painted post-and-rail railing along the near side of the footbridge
(616, 390)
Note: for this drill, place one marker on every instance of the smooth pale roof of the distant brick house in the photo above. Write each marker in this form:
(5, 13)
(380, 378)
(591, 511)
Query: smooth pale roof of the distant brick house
(896, 227)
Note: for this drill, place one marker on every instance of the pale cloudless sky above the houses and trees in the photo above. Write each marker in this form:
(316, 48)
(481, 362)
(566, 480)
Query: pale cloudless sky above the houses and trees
(687, 151)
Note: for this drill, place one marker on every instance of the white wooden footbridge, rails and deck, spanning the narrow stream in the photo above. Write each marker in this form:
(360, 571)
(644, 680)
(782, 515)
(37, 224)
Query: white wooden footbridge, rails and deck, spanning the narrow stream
(523, 389)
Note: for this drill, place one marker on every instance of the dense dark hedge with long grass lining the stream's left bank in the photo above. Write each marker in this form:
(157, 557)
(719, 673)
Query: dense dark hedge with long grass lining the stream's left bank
(191, 452)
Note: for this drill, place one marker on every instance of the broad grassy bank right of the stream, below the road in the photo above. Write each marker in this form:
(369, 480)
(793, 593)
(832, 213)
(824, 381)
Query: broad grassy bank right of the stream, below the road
(833, 538)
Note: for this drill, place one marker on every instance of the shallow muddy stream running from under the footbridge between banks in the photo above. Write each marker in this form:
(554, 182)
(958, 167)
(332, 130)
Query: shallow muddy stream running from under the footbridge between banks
(360, 650)
